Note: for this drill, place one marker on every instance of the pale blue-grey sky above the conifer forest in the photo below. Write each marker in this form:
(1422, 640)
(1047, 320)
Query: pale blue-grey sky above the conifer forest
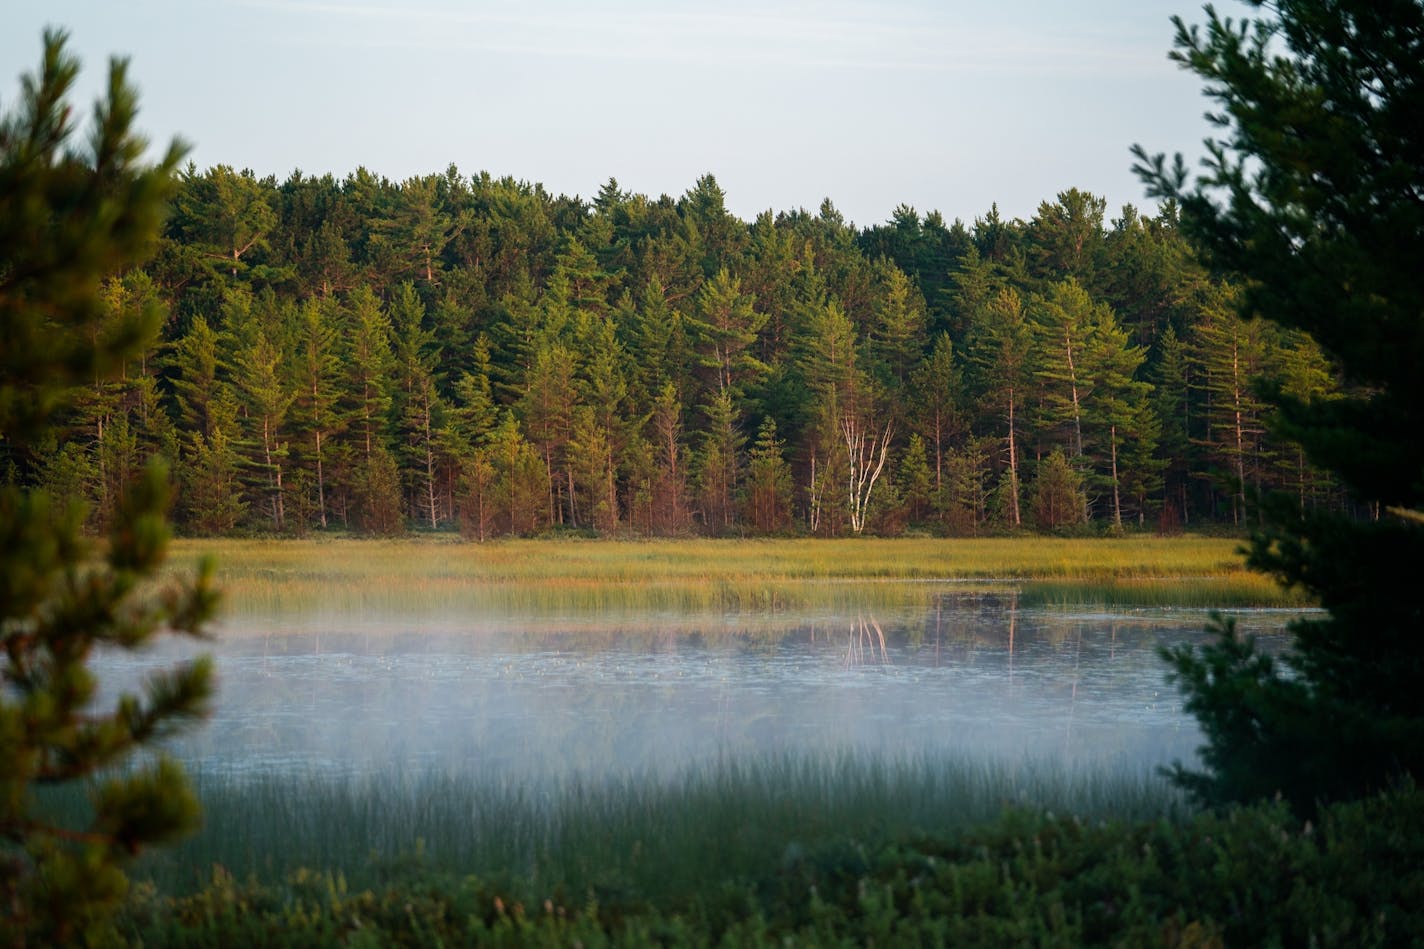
(945, 106)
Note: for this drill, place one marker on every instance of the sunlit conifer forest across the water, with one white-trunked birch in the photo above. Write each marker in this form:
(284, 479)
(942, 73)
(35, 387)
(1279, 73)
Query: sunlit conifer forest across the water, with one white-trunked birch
(476, 353)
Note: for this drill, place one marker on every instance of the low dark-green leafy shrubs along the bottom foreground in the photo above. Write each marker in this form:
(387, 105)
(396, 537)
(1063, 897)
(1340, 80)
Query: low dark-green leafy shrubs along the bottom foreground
(1252, 877)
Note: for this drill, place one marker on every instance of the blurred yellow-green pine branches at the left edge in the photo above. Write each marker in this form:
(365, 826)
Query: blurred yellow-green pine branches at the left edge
(70, 220)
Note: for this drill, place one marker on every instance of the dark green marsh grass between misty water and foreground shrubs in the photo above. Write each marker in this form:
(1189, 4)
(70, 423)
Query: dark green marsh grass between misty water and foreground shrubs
(634, 837)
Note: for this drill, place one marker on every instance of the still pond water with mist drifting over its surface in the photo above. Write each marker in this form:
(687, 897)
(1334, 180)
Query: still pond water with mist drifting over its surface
(972, 676)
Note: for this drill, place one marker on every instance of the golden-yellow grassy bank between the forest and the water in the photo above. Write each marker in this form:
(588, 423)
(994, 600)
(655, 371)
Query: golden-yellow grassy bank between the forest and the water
(431, 576)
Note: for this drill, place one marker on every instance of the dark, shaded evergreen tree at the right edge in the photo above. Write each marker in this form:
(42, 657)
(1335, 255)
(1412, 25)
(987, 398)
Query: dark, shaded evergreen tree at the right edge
(1311, 195)
